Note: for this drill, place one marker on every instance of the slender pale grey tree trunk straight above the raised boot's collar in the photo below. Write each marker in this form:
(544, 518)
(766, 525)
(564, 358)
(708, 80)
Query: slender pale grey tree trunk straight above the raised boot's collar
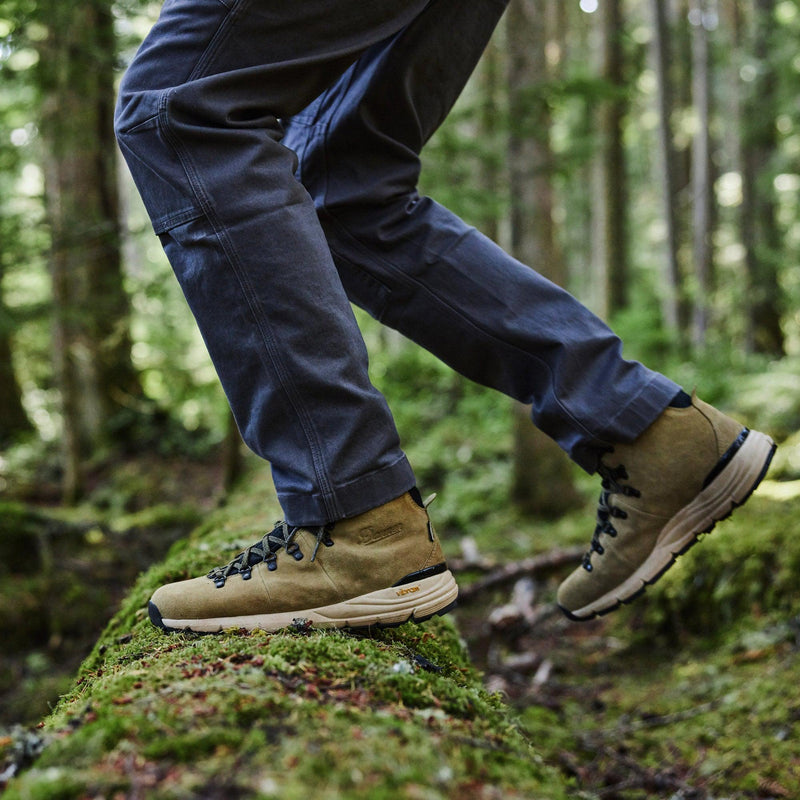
(702, 179)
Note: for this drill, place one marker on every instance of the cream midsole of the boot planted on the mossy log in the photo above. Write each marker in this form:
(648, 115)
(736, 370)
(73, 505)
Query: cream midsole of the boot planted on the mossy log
(388, 606)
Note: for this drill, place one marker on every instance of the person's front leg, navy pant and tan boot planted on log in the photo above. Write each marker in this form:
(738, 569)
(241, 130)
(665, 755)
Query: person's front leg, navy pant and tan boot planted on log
(198, 122)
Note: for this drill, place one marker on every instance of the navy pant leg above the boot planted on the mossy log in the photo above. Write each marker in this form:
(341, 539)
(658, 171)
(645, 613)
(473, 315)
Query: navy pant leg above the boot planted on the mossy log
(198, 122)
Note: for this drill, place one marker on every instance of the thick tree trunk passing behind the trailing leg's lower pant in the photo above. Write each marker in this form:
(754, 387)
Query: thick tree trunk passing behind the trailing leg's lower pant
(543, 477)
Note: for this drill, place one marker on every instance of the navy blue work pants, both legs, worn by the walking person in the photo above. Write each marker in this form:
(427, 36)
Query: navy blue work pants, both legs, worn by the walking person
(225, 106)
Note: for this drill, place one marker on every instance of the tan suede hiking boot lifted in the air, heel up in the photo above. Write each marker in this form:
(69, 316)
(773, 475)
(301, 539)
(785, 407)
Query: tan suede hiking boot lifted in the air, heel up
(686, 472)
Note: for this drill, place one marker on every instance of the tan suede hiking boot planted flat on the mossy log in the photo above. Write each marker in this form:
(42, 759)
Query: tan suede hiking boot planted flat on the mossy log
(380, 568)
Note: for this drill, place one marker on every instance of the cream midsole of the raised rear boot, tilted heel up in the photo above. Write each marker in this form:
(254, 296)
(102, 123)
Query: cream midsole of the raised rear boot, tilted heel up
(731, 487)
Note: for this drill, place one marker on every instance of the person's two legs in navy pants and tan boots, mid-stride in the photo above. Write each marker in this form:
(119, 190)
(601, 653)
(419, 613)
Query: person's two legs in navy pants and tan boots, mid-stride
(224, 108)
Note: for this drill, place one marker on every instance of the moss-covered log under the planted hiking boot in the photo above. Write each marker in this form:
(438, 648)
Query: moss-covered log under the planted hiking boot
(399, 713)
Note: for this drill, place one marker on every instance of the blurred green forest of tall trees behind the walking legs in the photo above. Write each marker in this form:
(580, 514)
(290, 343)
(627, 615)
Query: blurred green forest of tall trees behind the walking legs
(643, 153)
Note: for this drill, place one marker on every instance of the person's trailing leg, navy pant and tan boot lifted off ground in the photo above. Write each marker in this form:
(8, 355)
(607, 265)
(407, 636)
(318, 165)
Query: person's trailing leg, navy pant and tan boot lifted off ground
(668, 472)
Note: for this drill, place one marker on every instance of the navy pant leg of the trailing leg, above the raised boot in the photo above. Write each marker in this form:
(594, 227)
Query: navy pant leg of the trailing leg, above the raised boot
(420, 269)
